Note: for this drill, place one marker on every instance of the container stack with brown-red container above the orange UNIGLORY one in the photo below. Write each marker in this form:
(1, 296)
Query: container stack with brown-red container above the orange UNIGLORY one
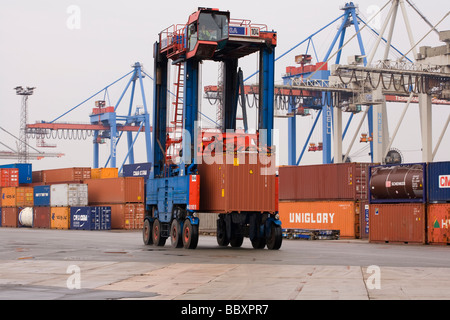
(327, 197)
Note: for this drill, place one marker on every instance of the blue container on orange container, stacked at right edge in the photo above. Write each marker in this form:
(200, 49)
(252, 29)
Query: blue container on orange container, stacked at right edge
(438, 212)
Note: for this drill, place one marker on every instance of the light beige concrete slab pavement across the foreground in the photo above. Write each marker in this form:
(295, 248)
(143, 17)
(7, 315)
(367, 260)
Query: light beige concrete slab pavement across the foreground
(30, 279)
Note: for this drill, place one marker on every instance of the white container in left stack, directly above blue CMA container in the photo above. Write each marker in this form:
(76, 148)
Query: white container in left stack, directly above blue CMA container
(68, 195)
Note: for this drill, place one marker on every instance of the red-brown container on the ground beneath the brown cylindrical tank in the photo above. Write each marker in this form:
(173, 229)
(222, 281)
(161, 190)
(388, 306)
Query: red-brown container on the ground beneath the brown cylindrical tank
(398, 223)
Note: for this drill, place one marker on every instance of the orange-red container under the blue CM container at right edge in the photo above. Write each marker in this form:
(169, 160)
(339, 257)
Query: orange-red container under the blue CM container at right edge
(438, 223)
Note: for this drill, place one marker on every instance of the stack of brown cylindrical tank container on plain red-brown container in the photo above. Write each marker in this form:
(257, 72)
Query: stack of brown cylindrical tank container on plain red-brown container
(398, 203)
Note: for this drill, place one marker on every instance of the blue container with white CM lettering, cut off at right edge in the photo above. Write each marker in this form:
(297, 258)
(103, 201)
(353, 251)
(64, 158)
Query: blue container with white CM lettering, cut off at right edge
(439, 182)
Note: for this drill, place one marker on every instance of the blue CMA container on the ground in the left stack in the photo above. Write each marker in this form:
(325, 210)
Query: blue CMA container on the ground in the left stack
(90, 218)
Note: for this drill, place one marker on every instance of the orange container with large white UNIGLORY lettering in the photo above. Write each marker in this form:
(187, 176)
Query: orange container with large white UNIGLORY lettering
(322, 215)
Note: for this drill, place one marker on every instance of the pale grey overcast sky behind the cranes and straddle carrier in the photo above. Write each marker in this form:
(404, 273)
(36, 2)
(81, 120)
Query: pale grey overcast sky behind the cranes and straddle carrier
(71, 49)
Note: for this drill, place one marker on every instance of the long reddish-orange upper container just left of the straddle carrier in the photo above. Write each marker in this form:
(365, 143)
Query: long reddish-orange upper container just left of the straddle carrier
(116, 190)
